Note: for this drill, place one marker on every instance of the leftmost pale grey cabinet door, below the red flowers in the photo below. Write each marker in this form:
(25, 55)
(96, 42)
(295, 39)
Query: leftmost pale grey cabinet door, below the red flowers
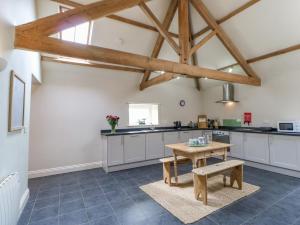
(115, 150)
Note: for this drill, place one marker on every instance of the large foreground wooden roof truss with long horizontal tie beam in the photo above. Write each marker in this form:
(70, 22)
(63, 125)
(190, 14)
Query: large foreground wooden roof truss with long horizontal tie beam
(35, 36)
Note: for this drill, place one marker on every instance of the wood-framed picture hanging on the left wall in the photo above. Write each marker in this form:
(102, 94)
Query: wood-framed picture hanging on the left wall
(16, 103)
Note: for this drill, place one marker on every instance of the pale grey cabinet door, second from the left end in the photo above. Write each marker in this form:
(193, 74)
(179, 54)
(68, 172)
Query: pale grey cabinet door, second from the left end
(134, 148)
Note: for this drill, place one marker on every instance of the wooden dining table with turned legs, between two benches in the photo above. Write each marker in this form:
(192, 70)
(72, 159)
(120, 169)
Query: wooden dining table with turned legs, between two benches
(198, 155)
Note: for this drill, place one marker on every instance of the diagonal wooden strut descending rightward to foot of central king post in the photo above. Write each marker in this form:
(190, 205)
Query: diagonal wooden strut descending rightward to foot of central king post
(159, 26)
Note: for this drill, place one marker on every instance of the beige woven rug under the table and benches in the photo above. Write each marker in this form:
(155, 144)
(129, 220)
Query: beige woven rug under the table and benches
(180, 200)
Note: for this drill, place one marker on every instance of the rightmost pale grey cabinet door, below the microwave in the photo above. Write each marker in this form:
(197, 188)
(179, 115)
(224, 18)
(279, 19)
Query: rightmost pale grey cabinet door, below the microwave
(285, 151)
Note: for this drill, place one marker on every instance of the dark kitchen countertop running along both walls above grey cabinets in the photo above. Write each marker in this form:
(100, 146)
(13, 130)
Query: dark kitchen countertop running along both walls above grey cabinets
(257, 130)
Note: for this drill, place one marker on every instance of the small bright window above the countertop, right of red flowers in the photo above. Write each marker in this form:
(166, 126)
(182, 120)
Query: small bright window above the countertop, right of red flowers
(143, 114)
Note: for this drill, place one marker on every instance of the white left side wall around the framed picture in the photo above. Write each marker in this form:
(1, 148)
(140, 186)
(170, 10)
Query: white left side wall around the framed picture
(14, 146)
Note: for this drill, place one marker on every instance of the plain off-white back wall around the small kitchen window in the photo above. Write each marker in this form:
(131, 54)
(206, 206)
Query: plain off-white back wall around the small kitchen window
(69, 109)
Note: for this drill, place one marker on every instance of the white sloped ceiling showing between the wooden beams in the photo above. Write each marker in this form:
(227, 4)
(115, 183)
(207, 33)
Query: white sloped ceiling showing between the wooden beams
(264, 27)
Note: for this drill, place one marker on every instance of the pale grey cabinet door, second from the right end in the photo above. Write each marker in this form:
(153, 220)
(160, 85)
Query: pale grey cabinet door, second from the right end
(256, 147)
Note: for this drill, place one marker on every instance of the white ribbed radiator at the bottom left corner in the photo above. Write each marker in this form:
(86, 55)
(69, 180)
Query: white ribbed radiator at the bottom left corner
(9, 203)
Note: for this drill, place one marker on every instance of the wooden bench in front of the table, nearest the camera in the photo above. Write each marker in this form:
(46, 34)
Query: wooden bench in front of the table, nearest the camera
(201, 174)
